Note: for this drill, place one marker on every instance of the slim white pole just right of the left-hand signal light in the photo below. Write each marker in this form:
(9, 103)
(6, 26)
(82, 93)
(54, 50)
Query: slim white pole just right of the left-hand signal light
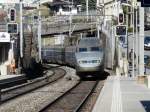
(21, 31)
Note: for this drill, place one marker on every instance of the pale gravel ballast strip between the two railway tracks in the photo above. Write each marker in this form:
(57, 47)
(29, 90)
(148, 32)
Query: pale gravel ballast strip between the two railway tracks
(34, 101)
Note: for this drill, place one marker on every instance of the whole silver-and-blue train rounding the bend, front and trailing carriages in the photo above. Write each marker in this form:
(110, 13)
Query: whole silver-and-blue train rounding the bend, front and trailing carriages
(86, 56)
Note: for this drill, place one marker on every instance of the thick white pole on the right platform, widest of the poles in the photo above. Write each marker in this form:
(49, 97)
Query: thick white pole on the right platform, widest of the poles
(141, 41)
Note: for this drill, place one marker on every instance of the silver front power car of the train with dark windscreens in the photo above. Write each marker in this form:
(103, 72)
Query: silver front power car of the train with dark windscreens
(89, 55)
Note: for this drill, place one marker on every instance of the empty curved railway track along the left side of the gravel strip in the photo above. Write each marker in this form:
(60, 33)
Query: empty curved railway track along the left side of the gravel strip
(12, 92)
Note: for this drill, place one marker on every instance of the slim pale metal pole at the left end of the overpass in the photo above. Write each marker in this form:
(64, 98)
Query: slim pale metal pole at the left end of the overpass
(39, 33)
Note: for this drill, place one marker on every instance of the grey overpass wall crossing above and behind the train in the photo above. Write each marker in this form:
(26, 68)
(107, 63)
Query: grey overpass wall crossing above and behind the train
(66, 23)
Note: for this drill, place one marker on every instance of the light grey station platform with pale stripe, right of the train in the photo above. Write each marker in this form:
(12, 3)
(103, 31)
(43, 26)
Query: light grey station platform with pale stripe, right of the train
(123, 94)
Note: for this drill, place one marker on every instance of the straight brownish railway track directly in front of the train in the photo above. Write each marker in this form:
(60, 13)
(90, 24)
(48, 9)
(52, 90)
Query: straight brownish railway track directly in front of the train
(73, 99)
